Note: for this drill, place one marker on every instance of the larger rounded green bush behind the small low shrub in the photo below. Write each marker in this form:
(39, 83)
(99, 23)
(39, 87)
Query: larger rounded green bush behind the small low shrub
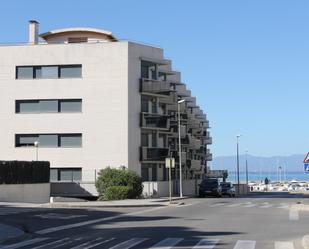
(109, 177)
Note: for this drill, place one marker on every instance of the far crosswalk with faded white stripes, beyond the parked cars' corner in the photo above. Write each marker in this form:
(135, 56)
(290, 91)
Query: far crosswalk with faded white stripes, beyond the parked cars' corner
(262, 205)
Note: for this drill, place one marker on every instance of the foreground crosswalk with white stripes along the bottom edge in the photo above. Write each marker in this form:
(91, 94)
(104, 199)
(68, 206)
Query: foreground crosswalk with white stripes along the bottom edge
(143, 243)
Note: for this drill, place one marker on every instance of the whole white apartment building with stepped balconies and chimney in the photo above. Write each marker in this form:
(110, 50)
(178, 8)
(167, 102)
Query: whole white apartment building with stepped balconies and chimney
(84, 100)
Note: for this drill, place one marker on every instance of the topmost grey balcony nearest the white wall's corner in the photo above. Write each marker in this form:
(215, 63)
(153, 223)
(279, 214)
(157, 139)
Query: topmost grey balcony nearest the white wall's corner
(155, 86)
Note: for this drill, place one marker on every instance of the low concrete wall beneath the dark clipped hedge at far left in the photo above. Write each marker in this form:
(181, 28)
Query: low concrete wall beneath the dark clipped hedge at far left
(31, 193)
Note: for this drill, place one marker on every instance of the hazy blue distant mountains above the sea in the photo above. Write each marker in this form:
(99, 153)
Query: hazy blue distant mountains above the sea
(293, 163)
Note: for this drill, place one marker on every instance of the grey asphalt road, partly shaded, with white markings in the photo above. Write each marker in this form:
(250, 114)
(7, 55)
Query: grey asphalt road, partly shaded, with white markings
(261, 221)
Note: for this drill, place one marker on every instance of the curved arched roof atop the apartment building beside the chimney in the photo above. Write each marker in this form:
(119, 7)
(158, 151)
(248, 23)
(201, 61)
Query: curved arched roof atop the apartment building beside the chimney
(79, 29)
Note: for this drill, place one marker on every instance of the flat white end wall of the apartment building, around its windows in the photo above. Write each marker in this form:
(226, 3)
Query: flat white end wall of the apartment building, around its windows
(103, 89)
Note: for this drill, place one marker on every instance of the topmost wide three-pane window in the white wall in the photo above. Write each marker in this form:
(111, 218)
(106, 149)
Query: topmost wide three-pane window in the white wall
(49, 72)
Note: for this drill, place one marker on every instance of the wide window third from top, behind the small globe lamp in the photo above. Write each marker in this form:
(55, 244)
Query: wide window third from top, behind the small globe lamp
(73, 140)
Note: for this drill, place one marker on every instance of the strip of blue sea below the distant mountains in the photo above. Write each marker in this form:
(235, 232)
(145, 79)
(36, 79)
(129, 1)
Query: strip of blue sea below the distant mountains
(273, 176)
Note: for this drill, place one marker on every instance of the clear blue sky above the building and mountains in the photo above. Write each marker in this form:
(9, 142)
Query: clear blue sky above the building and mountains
(247, 62)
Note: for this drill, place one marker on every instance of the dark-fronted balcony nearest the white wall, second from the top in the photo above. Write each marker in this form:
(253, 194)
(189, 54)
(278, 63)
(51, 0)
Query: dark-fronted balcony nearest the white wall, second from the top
(155, 121)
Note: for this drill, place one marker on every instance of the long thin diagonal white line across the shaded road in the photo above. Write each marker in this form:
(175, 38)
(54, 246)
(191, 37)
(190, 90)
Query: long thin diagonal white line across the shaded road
(90, 222)
